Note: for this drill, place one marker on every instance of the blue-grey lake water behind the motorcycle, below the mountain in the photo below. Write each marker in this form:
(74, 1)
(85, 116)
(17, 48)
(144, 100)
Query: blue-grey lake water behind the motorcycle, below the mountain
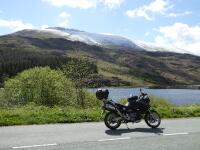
(176, 96)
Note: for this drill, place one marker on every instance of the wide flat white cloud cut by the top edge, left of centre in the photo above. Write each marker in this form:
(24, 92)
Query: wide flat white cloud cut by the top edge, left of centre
(83, 4)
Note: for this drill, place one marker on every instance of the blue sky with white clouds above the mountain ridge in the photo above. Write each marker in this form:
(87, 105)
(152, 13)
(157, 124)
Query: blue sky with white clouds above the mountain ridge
(163, 22)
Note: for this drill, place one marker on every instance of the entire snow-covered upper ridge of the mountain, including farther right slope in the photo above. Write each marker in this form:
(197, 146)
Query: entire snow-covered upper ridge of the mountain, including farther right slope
(104, 40)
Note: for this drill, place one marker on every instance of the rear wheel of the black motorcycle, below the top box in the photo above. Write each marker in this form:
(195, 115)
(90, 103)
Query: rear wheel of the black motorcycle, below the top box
(112, 120)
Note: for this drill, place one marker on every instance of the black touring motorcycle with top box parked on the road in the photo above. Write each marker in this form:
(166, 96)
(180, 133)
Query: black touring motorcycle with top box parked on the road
(138, 107)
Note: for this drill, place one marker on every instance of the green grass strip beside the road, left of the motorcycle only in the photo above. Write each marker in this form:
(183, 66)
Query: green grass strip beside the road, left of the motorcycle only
(32, 114)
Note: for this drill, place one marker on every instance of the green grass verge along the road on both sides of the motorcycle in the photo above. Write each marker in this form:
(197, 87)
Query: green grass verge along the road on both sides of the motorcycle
(33, 114)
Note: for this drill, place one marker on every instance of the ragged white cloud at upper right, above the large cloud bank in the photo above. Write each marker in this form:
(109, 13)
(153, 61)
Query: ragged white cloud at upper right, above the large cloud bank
(157, 6)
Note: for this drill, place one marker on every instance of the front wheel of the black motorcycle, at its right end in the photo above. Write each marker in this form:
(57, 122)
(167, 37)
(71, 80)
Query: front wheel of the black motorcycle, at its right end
(152, 119)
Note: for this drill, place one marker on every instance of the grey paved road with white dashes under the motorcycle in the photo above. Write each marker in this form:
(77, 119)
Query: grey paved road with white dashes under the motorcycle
(177, 134)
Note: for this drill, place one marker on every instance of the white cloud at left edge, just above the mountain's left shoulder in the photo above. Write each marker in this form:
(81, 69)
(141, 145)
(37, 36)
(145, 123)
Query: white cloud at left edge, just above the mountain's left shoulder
(15, 25)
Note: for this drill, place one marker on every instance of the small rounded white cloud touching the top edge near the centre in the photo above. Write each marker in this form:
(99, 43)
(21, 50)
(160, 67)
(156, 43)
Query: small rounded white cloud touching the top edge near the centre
(112, 3)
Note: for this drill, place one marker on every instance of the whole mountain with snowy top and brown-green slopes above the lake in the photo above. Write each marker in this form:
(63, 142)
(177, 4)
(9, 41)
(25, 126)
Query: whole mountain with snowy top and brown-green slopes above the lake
(120, 61)
